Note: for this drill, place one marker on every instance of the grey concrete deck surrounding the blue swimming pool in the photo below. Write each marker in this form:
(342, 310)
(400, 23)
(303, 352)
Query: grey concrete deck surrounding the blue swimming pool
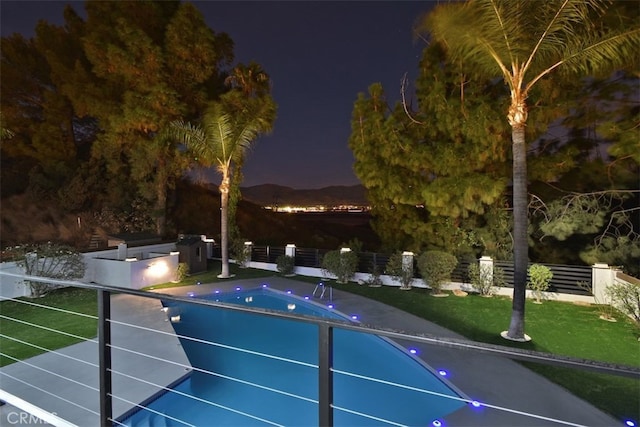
(511, 390)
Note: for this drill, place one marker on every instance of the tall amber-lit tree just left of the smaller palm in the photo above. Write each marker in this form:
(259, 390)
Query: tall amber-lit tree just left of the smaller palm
(149, 63)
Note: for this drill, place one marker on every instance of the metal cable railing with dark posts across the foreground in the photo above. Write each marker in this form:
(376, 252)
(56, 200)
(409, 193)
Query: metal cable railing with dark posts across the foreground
(326, 371)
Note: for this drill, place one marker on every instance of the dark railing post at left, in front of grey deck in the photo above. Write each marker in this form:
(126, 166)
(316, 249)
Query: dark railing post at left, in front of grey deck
(104, 357)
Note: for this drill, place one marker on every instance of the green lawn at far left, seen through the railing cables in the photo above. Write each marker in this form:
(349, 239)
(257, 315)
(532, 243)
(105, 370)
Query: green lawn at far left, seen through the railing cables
(25, 309)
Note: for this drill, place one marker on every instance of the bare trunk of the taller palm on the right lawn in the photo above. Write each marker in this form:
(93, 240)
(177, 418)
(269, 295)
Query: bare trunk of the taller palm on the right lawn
(520, 225)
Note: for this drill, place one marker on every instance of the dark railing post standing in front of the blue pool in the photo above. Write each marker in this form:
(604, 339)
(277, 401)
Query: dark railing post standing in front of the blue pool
(325, 379)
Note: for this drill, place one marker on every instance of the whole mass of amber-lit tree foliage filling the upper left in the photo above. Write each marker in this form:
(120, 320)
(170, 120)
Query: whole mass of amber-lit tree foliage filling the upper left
(87, 104)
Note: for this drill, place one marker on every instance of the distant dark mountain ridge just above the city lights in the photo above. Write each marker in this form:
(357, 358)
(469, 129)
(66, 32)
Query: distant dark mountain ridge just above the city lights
(270, 194)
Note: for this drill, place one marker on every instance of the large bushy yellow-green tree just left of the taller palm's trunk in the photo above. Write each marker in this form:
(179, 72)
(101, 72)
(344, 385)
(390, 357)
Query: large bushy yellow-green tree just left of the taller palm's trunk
(433, 176)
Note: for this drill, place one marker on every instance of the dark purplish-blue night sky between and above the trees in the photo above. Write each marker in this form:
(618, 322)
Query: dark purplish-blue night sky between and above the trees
(319, 55)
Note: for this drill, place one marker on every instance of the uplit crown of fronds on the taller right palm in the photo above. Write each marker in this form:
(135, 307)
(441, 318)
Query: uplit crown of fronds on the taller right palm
(533, 36)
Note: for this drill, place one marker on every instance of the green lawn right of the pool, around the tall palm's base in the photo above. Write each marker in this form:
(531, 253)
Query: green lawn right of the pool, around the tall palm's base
(555, 327)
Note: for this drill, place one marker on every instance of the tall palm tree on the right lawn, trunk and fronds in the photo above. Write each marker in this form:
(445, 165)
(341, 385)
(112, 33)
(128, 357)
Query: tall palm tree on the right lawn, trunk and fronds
(524, 41)
